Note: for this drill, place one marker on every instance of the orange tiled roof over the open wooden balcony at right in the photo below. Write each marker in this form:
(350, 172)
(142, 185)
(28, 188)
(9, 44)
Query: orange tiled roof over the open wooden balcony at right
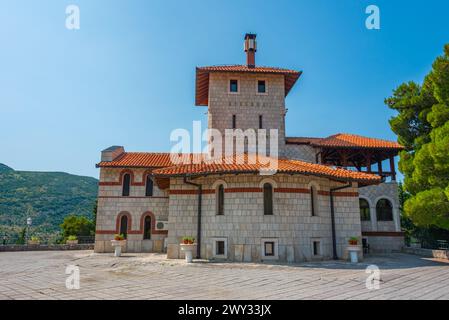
(344, 140)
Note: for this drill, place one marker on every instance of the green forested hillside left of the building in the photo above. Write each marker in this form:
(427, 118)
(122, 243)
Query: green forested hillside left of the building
(46, 197)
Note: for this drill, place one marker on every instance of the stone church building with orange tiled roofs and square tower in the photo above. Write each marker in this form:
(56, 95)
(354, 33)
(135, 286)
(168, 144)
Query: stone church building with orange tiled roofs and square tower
(325, 190)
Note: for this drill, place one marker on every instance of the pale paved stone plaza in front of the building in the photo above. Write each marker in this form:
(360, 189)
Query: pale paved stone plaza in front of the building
(41, 275)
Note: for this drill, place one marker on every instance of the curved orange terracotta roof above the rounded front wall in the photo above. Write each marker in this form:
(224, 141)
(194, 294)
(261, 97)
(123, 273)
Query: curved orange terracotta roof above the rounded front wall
(249, 164)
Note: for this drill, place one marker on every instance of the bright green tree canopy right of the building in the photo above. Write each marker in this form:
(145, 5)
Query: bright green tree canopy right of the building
(422, 126)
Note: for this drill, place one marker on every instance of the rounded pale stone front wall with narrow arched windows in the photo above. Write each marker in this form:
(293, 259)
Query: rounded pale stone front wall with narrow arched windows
(244, 224)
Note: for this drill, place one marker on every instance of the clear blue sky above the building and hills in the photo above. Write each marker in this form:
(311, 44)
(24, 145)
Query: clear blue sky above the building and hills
(127, 76)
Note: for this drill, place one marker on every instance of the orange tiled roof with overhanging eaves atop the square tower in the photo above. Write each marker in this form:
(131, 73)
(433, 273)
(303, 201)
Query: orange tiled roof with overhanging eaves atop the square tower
(202, 78)
